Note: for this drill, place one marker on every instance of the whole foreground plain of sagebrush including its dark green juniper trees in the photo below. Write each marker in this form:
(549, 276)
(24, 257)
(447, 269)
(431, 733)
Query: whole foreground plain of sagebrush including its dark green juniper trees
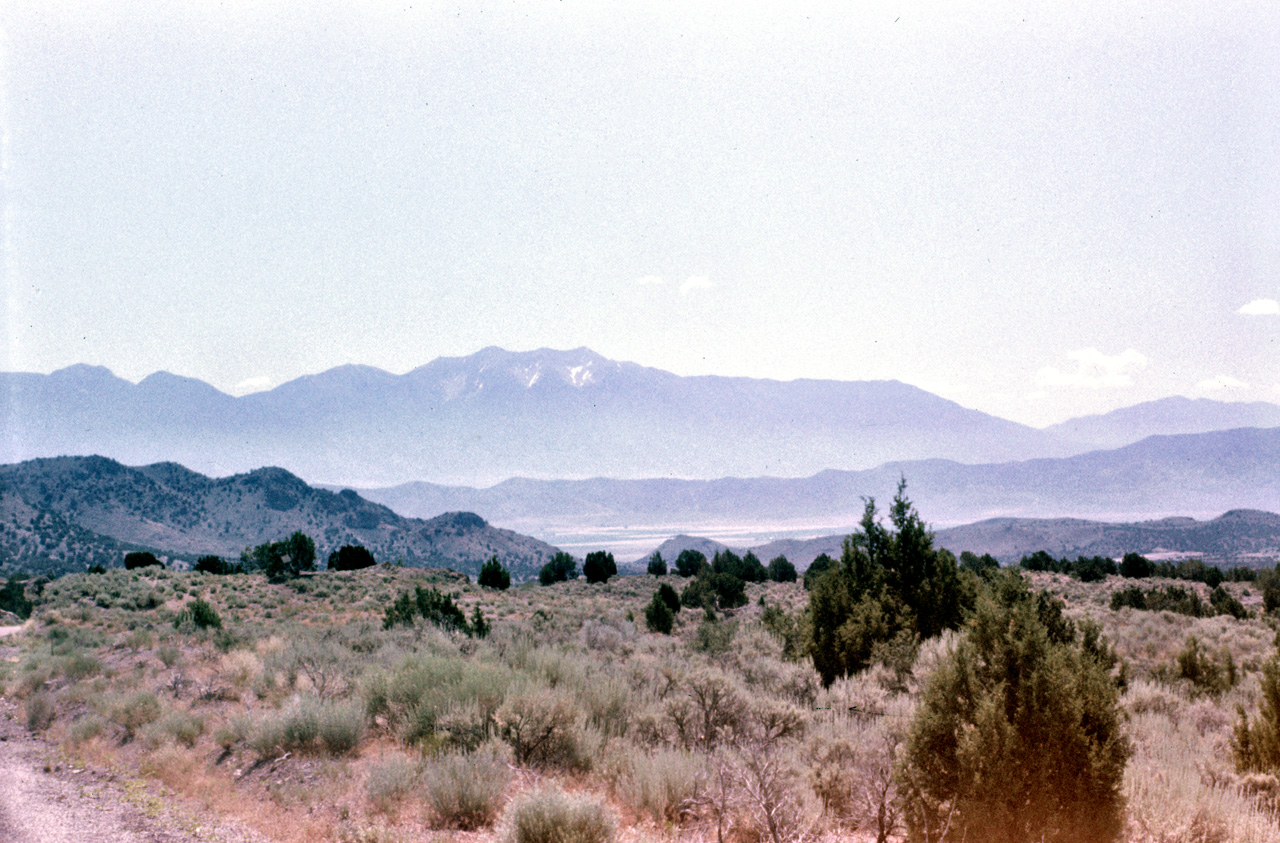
(895, 694)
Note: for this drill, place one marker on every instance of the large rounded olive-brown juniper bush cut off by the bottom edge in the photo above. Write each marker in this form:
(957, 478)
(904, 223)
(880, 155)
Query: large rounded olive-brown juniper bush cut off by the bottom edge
(1018, 737)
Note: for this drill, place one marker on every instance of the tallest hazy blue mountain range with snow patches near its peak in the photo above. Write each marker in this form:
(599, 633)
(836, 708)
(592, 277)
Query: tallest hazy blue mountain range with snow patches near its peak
(497, 415)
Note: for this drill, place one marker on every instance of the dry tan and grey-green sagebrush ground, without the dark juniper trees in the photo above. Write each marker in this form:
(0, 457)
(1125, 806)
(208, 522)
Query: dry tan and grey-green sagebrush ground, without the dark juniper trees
(303, 717)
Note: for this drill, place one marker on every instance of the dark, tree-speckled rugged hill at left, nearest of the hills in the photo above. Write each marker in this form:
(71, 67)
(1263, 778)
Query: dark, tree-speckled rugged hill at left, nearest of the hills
(67, 514)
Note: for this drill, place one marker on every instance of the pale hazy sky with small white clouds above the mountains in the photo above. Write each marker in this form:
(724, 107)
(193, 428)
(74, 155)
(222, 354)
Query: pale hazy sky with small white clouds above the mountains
(1037, 210)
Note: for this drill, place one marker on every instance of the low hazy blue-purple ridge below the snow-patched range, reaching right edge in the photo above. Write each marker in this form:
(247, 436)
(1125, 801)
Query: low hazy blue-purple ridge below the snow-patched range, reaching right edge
(1195, 474)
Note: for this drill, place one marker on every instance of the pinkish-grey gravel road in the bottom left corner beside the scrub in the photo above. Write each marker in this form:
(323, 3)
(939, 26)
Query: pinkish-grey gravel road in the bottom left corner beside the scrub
(45, 801)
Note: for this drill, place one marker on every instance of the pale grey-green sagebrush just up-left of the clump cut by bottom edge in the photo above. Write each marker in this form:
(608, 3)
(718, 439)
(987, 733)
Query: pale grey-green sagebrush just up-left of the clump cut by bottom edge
(465, 791)
